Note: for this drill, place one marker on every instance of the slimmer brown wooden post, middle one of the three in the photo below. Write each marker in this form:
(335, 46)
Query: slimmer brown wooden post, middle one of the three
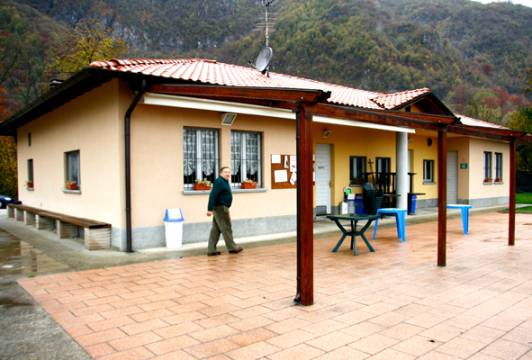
(442, 197)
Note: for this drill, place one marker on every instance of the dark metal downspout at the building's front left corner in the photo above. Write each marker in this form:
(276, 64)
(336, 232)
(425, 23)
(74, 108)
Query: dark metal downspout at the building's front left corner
(127, 141)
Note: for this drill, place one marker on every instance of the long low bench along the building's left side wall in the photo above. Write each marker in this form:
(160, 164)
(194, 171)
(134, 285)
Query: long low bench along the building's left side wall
(96, 234)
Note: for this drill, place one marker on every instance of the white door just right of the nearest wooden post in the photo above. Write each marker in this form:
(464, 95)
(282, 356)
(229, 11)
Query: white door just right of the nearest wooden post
(323, 179)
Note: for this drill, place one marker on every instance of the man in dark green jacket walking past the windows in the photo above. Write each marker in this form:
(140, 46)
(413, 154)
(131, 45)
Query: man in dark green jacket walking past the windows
(220, 200)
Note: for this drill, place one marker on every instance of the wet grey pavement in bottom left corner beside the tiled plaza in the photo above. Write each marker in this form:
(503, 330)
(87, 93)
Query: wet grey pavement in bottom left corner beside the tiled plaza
(27, 331)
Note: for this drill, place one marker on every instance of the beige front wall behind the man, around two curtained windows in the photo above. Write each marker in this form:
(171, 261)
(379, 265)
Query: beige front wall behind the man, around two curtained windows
(157, 165)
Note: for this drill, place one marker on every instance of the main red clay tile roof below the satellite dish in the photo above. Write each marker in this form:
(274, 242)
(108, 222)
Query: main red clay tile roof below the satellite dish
(213, 72)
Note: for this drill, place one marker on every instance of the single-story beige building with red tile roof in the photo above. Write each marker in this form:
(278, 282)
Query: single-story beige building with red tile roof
(119, 144)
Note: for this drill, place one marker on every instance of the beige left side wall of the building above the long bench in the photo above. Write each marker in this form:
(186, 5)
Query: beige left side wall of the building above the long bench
(89, 123)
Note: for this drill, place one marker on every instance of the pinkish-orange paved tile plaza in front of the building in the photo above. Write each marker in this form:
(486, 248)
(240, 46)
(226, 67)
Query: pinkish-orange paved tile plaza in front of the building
(391, 304)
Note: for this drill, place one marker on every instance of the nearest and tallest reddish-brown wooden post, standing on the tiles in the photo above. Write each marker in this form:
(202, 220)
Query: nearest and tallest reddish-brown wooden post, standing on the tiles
(305, 236)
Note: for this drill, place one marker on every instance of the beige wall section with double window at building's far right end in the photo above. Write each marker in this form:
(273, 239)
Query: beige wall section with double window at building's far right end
(477, 188)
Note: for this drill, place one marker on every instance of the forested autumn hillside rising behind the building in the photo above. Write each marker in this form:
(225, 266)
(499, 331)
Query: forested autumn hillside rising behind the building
(468, 53)
